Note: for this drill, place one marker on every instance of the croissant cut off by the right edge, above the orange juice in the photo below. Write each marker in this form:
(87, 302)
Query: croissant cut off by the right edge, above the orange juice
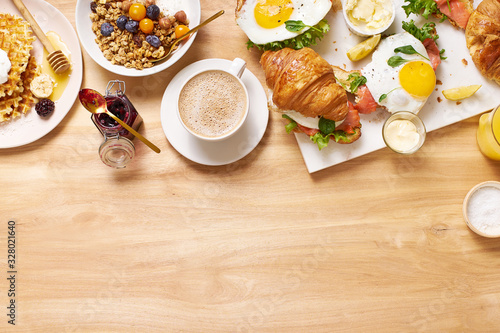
(482, 36)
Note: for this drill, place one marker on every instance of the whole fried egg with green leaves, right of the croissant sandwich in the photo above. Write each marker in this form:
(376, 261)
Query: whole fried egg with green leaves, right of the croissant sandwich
(405, 87)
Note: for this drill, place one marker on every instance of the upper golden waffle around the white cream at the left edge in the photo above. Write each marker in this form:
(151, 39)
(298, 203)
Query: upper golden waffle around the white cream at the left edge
(16, 39)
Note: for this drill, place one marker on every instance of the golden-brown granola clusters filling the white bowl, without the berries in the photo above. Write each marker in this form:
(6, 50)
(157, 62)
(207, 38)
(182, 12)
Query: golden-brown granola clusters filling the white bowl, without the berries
(122, 47)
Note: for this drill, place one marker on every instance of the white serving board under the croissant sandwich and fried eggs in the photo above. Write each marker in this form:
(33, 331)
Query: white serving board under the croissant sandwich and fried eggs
(451, 72)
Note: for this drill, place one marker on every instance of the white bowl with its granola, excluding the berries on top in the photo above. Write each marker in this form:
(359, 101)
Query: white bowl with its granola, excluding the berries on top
(118, 59)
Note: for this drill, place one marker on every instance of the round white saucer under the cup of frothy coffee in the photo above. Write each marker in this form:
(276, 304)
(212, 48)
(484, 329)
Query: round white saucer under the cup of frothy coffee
(215, 153)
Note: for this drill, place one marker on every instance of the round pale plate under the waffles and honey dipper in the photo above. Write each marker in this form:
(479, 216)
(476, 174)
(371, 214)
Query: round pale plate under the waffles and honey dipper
(31, 127)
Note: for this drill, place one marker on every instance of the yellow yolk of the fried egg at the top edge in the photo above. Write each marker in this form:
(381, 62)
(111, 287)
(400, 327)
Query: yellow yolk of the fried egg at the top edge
(270, 14)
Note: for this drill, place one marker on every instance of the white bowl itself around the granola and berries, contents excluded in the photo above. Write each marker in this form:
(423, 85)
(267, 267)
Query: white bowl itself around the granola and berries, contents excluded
(87, 38)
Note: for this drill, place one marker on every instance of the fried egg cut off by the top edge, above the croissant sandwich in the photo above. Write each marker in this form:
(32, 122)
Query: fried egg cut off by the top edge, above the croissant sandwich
(263, 21)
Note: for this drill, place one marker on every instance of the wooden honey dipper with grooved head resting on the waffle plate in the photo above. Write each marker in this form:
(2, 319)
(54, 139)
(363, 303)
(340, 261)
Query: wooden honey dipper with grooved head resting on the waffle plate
(56, 58)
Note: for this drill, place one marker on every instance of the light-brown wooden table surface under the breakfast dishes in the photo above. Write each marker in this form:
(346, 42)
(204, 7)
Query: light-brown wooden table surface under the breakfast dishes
(375, 244)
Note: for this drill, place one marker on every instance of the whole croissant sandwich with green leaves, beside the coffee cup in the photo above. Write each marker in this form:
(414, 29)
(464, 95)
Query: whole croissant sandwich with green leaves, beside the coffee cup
(305, 91)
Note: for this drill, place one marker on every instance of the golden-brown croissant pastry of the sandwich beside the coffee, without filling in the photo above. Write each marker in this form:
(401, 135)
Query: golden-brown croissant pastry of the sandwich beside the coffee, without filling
(303, 81)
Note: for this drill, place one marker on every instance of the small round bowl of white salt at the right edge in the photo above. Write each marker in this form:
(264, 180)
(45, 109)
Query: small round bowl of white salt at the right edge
(481, 209)
